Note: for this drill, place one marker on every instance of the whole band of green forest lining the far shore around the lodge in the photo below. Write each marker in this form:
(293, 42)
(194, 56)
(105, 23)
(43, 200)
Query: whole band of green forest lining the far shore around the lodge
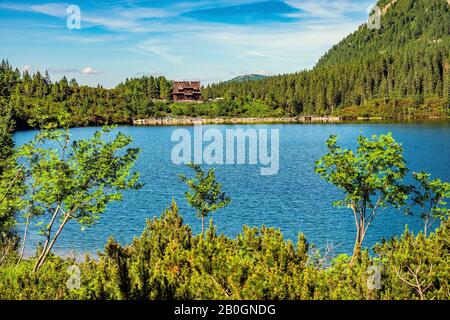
(401, 70)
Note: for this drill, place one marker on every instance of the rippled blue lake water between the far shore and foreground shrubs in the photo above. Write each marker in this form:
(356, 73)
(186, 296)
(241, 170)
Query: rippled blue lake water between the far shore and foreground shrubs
(295, 200)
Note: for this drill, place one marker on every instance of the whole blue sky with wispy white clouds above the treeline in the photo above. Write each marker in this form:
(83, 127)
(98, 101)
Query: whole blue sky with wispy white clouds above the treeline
(207, 40)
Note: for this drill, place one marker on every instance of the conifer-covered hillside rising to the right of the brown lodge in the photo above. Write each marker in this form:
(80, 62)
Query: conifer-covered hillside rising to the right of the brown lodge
(401, 70)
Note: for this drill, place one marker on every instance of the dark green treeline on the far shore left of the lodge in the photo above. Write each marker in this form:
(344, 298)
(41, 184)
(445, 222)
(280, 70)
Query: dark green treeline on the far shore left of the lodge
(31, 96)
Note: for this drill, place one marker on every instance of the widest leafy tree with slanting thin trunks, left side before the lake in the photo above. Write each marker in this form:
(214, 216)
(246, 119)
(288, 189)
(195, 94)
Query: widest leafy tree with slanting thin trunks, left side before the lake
(74, 180)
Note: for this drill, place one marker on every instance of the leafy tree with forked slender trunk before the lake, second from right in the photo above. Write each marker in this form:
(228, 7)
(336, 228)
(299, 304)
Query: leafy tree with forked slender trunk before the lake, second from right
(372, 179)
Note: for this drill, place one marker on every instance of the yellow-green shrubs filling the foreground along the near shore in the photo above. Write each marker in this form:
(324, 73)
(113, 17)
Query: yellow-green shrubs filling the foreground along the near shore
(168, 262)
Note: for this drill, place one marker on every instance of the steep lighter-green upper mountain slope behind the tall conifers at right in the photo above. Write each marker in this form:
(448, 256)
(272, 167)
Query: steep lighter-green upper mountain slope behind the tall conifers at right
(404, 23)
